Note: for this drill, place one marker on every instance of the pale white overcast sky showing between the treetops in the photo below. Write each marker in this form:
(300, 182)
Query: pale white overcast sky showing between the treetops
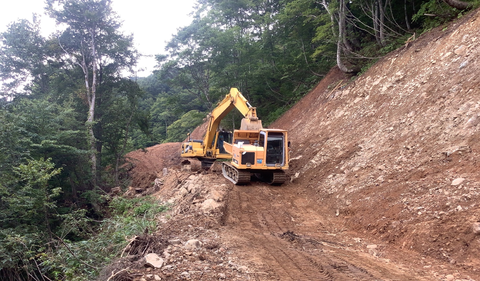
(152, 22)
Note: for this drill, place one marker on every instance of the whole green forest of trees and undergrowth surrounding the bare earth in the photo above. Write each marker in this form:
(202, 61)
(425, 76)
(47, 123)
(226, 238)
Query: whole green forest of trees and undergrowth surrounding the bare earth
(69, 112)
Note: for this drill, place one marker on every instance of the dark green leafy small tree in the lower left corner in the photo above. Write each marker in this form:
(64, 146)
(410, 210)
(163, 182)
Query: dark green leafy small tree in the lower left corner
(26, 211)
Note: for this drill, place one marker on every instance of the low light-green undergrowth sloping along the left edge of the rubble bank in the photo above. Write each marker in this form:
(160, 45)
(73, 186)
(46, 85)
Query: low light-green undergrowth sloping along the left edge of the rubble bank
(82, 260)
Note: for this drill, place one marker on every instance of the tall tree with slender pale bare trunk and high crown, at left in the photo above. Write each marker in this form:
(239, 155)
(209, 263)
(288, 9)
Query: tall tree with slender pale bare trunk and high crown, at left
(93, 43)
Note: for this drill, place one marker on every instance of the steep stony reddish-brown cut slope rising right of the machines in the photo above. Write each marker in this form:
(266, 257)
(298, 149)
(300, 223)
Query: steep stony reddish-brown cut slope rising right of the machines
(396, 152)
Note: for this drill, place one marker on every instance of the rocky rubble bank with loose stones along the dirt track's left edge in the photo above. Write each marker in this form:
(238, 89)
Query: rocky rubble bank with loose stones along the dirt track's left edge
(203, 256)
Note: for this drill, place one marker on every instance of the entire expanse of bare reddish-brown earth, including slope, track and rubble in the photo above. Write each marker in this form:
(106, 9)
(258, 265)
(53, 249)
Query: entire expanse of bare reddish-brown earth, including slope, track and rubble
(384, 183)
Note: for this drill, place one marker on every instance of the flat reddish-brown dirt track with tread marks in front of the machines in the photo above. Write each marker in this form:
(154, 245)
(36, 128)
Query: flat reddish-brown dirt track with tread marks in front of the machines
(264, 227)
